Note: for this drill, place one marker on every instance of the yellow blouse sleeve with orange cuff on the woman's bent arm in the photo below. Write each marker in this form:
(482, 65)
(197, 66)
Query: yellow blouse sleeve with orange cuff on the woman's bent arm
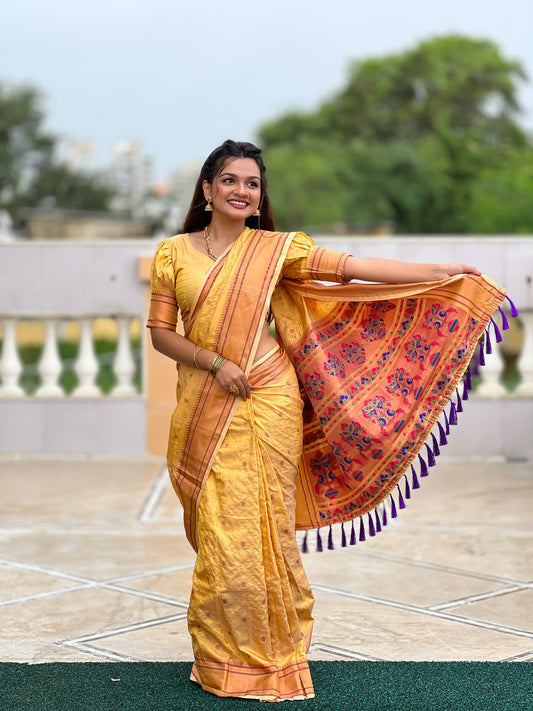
(163, 306)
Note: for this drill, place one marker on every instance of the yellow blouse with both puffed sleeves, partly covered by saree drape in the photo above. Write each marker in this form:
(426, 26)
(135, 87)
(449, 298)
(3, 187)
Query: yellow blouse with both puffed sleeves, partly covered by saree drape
(179, 269)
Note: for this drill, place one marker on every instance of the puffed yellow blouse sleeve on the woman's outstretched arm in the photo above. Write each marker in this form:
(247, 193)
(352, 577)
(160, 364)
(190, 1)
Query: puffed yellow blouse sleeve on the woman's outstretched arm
(305, 260)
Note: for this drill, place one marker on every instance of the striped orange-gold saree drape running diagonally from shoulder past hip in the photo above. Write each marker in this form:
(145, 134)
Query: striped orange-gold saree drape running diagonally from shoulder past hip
(227, 318)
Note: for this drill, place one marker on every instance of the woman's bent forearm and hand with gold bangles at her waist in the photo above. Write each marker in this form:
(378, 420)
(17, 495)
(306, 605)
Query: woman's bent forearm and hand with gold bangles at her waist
(180, 349)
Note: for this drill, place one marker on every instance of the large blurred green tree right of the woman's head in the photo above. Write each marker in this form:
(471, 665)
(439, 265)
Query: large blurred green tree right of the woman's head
(408, 139)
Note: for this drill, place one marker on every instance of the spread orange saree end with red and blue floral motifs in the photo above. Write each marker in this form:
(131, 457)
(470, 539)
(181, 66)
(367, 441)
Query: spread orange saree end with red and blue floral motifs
(377, 365)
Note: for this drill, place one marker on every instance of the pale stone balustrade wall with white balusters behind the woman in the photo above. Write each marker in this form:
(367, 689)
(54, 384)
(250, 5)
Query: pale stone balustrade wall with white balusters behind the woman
(54, 283)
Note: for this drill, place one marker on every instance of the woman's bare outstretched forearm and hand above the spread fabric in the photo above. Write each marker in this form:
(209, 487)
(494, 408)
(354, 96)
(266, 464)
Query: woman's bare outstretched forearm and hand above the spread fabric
(389, 271)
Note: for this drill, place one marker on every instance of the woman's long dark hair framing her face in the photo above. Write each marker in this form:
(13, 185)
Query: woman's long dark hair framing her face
(197, 218)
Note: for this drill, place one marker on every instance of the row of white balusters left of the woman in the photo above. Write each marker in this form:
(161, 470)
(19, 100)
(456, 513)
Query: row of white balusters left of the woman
(124, 362)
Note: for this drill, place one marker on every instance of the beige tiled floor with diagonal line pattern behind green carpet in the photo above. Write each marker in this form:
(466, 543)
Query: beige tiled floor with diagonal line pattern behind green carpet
(95, 566)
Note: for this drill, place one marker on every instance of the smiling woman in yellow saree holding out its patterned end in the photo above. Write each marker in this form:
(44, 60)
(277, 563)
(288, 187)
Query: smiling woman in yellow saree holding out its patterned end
(248, 468)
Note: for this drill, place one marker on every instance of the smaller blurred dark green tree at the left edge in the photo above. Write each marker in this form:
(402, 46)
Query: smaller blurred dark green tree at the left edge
(30, 174)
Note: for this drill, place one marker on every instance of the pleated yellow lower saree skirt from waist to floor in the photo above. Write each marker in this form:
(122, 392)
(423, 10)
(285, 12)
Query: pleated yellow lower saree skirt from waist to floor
(250, 614)
